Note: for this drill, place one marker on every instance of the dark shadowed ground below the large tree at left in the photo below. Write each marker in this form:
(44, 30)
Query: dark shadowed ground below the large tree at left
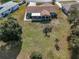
(10, 50)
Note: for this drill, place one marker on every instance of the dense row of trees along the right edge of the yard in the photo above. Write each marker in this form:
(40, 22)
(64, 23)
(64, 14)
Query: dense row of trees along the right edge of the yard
(73, 39)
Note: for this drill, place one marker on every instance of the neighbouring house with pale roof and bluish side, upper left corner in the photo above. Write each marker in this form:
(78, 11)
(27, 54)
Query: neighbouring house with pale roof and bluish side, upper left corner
(7, 8)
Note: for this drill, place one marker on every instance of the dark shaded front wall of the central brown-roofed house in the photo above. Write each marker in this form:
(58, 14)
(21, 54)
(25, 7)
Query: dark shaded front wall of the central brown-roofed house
(40, 17)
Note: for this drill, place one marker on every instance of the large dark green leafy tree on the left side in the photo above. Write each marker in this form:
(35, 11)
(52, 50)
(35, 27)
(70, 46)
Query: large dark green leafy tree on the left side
(10, 30)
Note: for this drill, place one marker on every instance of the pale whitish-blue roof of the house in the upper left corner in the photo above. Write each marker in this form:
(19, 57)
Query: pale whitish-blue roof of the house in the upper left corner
(7, 6)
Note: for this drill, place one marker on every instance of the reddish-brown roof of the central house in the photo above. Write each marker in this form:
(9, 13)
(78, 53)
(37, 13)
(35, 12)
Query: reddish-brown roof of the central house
(38, 9)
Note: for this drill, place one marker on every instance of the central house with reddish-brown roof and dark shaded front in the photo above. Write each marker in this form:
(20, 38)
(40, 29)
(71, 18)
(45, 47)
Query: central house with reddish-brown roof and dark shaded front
(42, 12)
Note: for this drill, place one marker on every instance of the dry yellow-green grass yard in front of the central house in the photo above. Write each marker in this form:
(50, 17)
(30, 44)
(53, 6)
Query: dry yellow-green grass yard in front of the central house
(34, 40)
